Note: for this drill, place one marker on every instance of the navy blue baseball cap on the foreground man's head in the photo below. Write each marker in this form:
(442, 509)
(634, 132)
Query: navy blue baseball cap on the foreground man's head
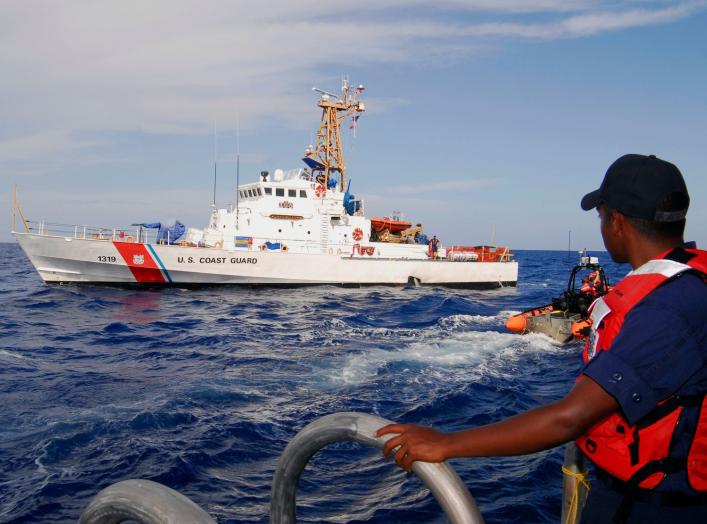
(636, 185)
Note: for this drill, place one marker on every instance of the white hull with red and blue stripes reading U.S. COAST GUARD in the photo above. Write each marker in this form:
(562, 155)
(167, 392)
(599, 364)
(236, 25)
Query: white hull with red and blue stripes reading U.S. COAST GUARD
(65, 259)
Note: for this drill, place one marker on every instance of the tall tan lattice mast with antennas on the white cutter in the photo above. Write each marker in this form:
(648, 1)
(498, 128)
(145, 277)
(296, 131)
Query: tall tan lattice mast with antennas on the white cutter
(327, 157)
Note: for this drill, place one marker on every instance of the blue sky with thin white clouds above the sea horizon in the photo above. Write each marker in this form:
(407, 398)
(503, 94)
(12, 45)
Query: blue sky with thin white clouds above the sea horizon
(486, 121)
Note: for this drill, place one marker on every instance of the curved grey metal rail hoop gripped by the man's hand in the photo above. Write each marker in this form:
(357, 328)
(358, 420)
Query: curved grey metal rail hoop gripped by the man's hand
(441, 479)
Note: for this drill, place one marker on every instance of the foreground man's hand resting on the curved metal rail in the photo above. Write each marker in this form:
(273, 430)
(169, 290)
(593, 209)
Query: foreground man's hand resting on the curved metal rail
(414, 443)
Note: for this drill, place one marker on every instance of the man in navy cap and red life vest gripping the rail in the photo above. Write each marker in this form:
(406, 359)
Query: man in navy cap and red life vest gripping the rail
(638, 409)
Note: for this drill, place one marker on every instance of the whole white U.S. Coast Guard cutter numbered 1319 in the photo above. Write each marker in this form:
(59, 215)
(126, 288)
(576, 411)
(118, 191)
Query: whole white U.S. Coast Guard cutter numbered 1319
(300, 227)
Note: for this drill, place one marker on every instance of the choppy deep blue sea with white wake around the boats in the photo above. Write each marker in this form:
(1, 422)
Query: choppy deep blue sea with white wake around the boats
(201, 390)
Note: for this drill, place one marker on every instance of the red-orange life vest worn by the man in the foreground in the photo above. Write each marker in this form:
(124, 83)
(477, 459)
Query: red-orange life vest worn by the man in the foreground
(640, 454)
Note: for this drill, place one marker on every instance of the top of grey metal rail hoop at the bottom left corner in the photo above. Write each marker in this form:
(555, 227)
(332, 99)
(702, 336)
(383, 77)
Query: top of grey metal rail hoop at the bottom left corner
(142, 501)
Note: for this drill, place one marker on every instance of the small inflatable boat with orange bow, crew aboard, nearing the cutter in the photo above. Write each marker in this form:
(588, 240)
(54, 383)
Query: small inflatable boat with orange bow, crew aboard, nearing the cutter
(567, 317)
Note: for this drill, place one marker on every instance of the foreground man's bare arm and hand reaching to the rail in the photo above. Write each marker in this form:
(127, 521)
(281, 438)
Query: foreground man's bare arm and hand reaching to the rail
(535, 430)
